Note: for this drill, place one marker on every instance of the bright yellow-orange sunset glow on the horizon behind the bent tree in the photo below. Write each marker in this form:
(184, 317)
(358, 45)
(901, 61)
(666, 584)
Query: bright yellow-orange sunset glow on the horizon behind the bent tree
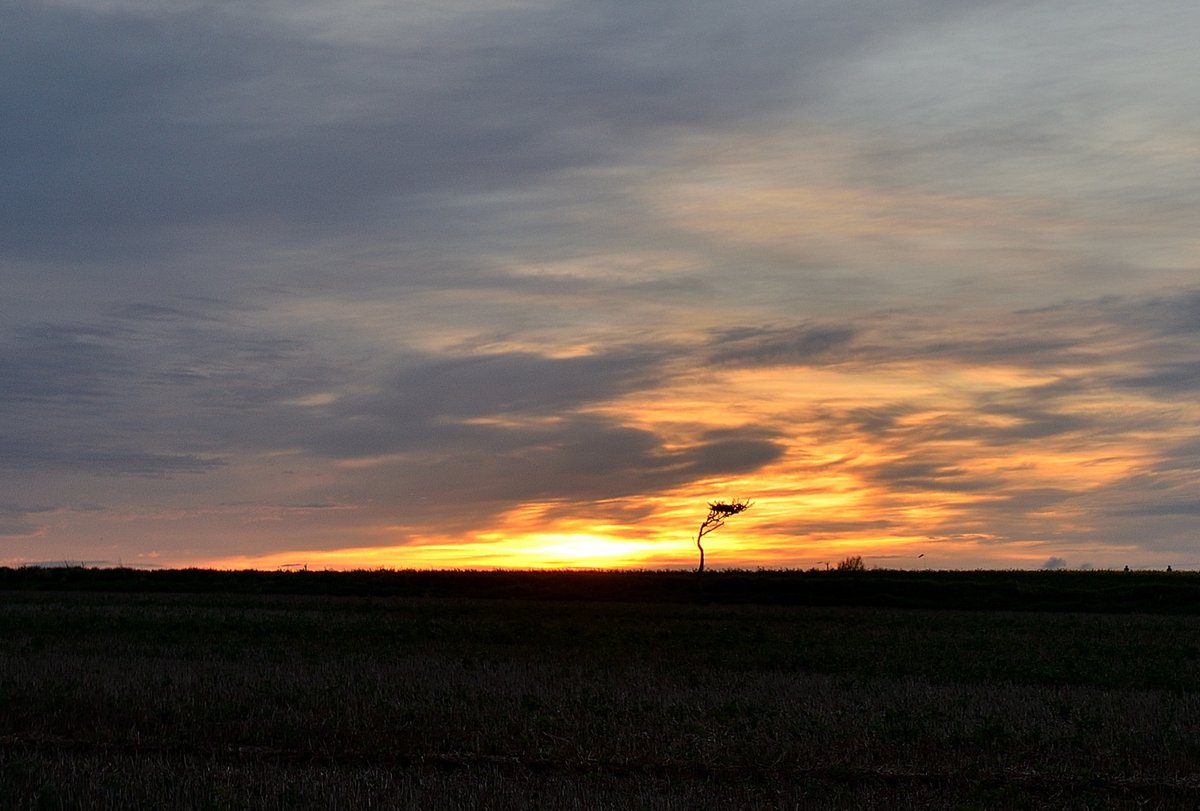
(823, 501)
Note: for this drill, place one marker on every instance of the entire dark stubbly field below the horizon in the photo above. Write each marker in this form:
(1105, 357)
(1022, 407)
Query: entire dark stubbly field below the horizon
(643, 690)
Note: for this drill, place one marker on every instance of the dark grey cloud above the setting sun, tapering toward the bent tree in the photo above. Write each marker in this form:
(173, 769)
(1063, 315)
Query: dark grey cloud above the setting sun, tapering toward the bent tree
(469, 472)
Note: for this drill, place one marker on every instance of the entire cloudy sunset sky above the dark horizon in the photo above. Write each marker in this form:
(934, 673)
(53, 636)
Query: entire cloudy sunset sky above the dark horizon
(352, 284)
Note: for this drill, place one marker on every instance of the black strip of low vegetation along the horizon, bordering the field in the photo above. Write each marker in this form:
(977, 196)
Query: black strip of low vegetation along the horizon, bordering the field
(1106, 592)
